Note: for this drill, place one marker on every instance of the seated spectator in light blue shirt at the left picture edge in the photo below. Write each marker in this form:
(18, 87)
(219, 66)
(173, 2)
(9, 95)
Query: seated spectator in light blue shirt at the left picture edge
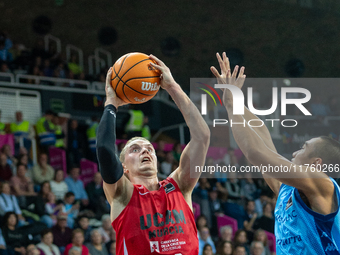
(8, 202)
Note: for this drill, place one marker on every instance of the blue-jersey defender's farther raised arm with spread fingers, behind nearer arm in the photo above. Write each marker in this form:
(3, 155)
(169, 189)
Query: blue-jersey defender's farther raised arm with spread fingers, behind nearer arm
(262, 131)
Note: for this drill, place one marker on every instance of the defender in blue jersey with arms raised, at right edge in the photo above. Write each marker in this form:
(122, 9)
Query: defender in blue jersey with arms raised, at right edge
(307, 216)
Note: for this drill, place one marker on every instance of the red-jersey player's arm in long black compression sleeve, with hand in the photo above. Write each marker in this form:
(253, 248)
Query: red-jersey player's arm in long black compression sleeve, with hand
(110, 166)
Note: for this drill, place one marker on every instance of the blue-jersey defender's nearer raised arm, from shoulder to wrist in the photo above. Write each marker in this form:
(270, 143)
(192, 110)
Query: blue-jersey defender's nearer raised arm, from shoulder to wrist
(316, 185)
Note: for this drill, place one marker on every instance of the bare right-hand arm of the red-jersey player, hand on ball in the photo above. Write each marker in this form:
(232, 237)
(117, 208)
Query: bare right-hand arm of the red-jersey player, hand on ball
(197, 148)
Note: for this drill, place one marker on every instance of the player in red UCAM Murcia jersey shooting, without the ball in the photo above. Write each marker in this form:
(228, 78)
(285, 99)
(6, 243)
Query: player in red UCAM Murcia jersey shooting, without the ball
(151, 217)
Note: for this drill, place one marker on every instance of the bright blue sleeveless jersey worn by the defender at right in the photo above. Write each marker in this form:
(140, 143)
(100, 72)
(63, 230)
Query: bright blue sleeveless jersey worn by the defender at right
(299, 230)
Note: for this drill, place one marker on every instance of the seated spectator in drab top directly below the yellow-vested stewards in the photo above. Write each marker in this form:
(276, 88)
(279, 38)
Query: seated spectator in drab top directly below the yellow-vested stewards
(42, 171)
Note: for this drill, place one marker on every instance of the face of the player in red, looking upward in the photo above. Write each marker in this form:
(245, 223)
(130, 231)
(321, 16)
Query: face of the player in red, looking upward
(140, 156)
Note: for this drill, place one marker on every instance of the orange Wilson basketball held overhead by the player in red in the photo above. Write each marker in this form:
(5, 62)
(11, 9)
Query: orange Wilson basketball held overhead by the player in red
(134, 80)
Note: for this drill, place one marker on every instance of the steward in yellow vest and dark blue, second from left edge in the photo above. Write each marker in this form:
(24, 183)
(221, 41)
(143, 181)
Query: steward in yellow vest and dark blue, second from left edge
(45, 130)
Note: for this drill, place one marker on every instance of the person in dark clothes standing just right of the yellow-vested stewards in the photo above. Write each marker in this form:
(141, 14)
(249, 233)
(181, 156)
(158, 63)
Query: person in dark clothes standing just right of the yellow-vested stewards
(75, 143)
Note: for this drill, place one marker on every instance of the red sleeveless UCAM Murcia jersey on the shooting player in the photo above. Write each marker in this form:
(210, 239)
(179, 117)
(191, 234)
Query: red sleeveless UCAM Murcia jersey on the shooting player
(156, 222)
